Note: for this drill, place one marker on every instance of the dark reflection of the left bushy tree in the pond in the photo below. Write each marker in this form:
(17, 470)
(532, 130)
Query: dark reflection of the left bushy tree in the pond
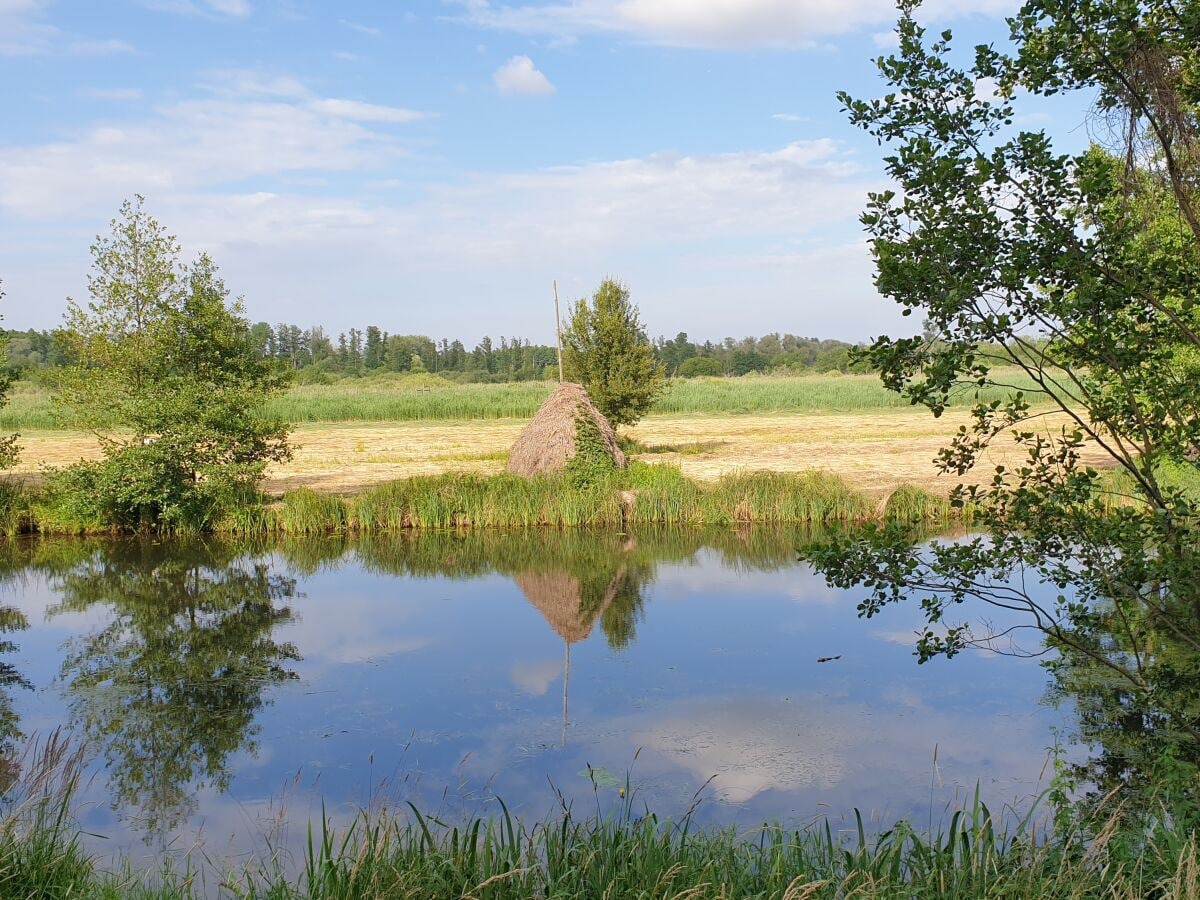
(170, 689)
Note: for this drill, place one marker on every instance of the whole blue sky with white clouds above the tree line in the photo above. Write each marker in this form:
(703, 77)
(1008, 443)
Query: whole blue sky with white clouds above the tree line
(433, 166)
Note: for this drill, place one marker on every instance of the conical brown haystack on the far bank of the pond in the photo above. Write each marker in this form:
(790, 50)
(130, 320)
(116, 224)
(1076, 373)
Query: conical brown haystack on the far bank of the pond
(548, 443)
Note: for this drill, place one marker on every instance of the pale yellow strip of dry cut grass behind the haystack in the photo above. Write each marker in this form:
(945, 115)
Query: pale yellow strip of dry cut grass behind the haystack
(873, 452)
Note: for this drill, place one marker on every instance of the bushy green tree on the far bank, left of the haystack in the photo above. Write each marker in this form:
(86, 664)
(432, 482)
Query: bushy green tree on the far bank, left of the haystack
(172, 380)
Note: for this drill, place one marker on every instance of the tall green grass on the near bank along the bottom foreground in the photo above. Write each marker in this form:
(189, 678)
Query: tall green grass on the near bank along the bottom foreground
(632, 854)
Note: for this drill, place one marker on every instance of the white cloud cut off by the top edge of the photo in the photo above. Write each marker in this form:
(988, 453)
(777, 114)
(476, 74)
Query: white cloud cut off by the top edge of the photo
(709, 23)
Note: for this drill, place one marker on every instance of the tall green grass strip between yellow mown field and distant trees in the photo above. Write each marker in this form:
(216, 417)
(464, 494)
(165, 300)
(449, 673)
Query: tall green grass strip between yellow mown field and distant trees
(428, 398)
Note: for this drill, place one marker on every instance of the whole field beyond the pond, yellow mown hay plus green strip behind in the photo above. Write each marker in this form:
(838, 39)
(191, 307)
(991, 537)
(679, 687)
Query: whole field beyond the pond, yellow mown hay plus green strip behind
(361, 433)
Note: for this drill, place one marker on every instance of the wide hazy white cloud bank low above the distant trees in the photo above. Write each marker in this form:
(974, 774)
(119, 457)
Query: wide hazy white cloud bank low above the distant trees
(283, 188)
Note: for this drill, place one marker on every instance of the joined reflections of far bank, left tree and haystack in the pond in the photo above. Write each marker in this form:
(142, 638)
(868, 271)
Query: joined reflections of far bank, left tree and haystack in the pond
(170, 688)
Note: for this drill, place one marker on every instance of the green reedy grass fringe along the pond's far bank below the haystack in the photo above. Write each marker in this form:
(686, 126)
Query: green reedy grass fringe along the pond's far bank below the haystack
(643, 495)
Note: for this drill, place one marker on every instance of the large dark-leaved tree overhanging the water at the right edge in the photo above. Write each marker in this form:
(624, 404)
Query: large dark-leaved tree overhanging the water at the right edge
(1082, 271)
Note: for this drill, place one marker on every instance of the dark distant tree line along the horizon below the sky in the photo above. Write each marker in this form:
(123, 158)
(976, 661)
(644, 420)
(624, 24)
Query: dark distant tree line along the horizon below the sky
(316, 356)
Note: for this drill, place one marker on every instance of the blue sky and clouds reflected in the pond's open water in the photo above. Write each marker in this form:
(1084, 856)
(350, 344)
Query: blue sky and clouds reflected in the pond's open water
(449, 692)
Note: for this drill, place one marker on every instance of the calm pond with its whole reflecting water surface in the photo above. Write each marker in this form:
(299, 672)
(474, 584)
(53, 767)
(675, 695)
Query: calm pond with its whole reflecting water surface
(223, 692)
